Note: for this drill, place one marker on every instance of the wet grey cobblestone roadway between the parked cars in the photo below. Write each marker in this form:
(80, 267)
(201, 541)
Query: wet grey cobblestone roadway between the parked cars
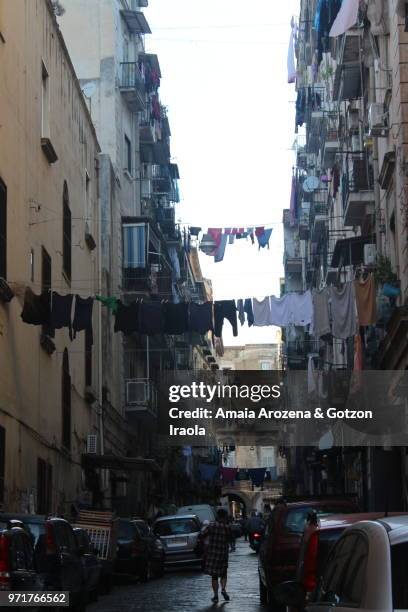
(189, 590)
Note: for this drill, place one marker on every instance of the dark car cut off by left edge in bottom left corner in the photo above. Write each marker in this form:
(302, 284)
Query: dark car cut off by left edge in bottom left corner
(17, 568)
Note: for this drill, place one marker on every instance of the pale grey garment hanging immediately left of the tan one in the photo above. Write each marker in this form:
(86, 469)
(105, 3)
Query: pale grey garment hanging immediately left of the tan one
(343, 311)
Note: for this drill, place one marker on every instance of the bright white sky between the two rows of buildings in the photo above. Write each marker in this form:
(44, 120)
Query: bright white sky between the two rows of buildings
(224, 67)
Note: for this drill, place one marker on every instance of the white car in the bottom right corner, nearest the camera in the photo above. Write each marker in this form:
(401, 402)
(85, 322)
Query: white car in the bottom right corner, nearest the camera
(366, 569)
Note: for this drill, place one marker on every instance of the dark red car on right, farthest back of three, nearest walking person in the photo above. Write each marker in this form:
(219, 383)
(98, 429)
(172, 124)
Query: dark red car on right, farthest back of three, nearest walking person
(282, 538)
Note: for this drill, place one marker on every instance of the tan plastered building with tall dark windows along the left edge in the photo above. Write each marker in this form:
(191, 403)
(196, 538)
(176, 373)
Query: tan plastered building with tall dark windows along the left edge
(50, 385)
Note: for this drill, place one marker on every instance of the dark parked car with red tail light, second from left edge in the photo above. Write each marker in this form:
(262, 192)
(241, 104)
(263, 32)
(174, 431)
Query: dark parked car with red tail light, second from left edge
(56, 555)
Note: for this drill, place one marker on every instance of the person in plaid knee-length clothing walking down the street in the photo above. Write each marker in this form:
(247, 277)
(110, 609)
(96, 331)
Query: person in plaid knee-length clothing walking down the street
(216, 559)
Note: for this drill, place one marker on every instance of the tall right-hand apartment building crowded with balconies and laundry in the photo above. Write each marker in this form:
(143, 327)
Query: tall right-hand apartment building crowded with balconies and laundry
(348, 212)
